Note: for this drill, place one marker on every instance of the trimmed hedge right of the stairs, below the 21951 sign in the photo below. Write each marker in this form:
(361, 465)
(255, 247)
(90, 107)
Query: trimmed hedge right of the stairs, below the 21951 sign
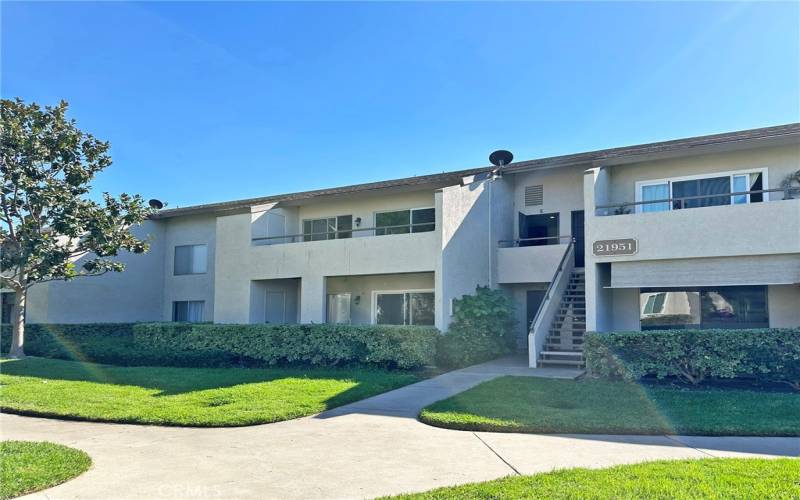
(770, 354)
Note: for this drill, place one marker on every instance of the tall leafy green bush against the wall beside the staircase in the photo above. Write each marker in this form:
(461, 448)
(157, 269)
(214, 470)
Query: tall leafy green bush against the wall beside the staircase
(482, 329)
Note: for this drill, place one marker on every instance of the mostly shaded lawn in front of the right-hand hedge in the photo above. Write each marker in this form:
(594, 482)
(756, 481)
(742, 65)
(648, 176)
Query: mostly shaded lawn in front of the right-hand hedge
(528, 404)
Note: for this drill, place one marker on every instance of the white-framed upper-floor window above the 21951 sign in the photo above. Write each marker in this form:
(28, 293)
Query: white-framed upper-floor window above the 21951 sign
(712, 191)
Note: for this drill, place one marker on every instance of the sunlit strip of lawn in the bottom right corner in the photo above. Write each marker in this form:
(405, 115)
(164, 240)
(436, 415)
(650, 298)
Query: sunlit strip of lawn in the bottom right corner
(686, 479)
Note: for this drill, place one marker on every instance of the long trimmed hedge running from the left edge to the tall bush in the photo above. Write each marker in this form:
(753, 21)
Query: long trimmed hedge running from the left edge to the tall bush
(187, 344)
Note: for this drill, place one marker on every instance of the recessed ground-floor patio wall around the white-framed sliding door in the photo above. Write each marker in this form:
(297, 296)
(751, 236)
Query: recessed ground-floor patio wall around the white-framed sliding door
(361, 289)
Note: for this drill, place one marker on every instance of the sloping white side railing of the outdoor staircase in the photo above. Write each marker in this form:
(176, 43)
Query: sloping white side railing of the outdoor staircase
(537, 334)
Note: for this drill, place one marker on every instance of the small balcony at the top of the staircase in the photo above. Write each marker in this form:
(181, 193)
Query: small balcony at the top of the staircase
(530, 260)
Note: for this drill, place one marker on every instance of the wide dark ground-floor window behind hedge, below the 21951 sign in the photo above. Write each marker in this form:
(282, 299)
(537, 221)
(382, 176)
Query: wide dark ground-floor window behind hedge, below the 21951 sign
(706, 307)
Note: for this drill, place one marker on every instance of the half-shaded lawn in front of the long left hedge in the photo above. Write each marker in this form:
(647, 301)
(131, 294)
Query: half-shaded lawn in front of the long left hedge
(205, 397)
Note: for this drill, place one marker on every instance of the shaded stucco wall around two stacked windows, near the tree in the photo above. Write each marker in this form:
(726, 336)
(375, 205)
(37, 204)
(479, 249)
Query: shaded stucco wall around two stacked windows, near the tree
(191, 230)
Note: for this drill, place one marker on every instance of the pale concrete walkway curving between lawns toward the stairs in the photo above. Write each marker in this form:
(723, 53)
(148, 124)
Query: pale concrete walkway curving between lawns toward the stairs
(369, 448)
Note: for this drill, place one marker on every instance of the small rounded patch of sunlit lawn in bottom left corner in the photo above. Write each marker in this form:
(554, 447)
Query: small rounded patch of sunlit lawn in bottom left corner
(27, 466)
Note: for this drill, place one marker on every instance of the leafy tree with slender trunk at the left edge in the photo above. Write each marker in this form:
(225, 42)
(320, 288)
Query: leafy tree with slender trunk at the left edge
(47, 221)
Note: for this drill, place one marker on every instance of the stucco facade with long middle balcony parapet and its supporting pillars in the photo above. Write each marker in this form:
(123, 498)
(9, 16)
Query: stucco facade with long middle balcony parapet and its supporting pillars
(238, 261)
